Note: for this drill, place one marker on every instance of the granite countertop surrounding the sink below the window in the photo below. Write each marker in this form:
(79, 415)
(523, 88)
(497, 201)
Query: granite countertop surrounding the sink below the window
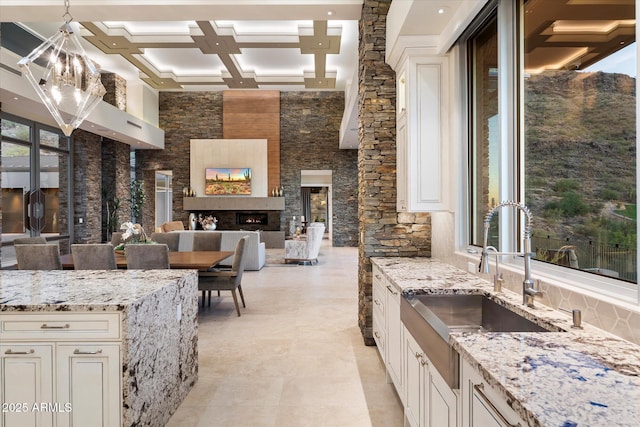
(579, 377)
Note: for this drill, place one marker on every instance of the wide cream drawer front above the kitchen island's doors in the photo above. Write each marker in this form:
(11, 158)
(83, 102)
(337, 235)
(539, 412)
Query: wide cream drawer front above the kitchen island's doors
(52, 326)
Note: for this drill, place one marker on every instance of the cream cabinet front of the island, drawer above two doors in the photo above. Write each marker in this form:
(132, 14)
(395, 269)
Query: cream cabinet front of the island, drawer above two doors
(64, 369)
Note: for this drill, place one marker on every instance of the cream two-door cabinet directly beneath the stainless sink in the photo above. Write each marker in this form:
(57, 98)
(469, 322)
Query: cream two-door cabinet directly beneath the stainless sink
(429, 402)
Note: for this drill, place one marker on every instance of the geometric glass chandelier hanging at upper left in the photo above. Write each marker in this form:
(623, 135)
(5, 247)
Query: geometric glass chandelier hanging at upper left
(69, 85)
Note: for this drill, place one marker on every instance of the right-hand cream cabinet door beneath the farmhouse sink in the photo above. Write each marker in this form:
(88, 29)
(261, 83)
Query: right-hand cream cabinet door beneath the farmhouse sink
(443, 402)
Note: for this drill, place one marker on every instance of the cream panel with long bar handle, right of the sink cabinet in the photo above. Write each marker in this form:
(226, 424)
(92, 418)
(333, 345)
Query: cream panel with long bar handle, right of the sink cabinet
(483, 406)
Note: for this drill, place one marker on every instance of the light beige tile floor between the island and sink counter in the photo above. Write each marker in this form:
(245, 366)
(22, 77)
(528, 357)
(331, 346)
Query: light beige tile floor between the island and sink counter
(294, 358)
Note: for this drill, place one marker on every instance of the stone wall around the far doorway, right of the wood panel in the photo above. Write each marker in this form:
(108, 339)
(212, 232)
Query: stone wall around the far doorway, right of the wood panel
(309, 140)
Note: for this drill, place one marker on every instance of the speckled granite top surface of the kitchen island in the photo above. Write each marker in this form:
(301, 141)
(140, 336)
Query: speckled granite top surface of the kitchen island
(93, 290)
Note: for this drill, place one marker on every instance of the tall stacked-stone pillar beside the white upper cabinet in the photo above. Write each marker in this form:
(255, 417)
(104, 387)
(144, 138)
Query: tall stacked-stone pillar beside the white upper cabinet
(384, 231)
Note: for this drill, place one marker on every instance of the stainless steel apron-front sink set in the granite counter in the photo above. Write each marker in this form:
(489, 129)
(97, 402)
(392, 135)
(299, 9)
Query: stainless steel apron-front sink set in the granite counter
(431, 318)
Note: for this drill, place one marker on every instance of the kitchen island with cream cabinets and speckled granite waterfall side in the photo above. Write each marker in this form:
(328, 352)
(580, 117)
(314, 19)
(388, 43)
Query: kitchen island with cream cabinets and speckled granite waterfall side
(97, 347)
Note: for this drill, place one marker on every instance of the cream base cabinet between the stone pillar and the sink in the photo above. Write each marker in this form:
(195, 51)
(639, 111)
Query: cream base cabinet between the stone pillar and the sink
(387, 328)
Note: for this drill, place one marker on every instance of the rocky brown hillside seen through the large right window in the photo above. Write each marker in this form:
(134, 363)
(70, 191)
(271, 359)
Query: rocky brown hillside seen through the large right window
(580, 154)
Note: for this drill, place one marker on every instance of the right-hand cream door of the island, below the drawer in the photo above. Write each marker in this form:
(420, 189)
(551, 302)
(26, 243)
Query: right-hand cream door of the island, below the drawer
(89, 380)
